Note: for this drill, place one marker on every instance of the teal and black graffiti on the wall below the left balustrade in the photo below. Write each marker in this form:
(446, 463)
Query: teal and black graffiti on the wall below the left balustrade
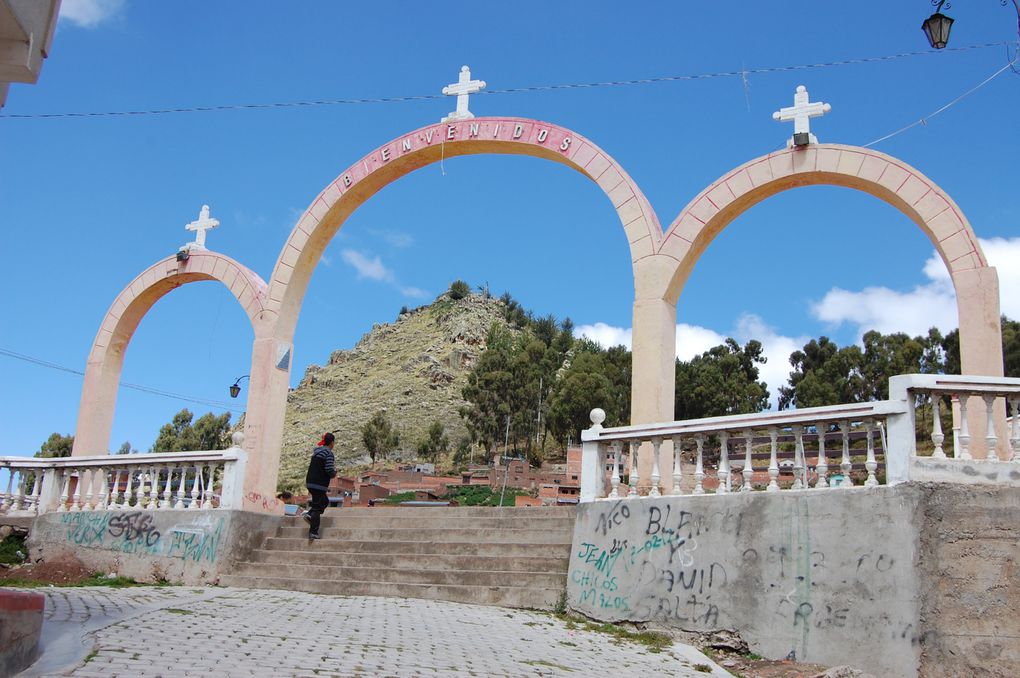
(137, 533)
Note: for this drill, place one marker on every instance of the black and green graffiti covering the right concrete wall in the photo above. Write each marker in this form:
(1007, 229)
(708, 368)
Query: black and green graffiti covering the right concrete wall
(710, 569)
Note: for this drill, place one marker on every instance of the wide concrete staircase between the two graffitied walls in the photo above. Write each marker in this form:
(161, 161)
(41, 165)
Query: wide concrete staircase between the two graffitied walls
(508, 557)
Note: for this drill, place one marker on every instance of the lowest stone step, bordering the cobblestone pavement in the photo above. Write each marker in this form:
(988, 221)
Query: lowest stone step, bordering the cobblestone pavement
(531, 598)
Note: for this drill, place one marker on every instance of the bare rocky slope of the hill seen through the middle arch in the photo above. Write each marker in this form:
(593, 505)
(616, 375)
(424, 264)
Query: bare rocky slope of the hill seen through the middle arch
(414, 369)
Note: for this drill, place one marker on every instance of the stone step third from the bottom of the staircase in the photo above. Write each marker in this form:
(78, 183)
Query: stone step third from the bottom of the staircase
(528, 561)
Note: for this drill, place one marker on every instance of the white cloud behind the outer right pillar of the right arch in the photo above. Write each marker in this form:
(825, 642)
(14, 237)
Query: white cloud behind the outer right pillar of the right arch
(932, 304)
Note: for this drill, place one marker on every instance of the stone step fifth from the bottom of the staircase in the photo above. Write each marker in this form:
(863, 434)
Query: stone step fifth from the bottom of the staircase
(436, 535)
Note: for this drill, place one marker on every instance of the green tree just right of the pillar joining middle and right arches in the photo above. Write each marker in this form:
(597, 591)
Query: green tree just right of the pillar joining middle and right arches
(723, 381)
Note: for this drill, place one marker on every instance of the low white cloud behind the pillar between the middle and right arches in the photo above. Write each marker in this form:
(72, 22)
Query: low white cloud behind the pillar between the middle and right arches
(694, 340)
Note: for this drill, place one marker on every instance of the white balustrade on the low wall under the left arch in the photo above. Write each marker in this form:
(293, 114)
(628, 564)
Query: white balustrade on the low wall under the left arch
(156, 483)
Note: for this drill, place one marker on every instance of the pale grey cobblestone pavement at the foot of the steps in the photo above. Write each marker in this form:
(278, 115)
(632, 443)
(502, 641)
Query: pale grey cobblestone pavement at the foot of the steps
(191, 632)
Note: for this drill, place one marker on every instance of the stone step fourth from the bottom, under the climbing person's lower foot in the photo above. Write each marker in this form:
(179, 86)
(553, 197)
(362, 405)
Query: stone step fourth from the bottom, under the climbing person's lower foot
(504, 549)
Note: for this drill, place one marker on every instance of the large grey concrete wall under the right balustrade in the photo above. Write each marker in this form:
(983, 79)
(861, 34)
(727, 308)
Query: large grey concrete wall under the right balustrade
(834, 578)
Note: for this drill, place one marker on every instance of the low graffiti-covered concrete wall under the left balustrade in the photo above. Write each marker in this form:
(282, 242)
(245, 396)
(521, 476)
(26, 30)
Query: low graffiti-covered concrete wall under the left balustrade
(189, 547)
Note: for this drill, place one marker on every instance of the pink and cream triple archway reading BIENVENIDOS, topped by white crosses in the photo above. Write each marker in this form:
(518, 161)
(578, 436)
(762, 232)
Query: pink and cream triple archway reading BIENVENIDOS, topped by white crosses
(661, 262)
